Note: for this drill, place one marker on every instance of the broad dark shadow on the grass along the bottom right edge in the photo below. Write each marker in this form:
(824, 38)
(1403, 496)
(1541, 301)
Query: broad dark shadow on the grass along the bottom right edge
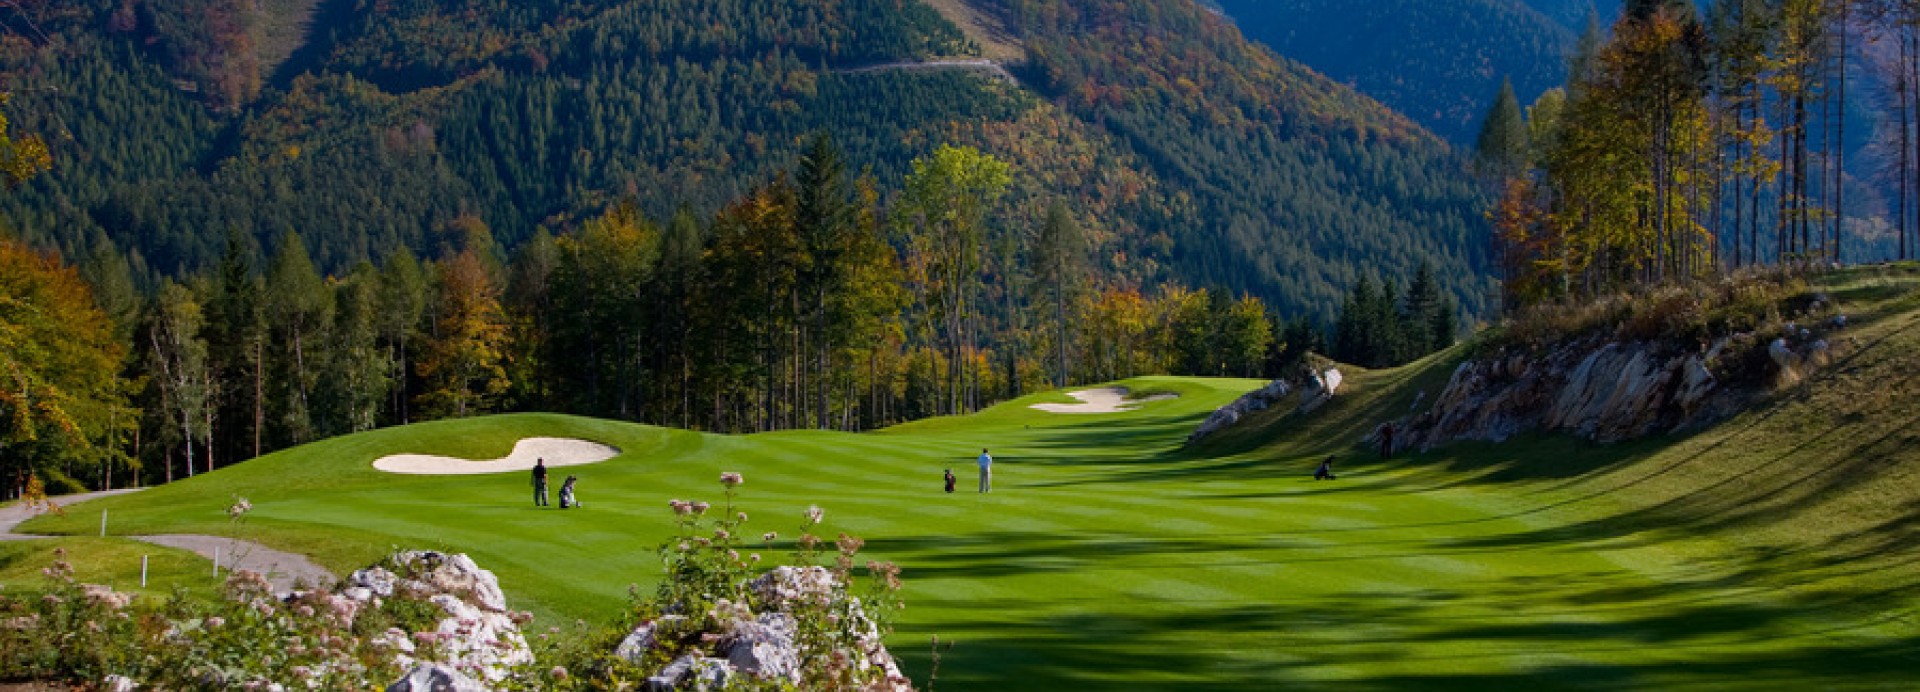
(1420, 641)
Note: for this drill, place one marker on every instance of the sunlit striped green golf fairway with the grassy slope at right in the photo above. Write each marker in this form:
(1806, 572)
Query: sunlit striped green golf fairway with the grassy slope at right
(1775, 551)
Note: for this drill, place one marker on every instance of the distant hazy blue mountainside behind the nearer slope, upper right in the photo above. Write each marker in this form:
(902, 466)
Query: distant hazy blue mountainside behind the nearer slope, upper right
(1437, 62)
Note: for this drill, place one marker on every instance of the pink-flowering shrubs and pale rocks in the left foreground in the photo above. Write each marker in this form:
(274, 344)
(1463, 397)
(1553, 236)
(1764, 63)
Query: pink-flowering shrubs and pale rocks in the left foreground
(252, 639)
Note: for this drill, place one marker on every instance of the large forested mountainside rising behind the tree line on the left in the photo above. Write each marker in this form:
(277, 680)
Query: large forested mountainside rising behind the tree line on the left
(366, 126)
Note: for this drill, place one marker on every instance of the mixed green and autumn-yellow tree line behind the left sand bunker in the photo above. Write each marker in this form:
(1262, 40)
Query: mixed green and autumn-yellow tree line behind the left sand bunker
(804, 305)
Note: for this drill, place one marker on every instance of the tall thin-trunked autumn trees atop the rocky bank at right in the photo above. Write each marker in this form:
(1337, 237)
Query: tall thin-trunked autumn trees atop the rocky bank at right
(1692, 143)
